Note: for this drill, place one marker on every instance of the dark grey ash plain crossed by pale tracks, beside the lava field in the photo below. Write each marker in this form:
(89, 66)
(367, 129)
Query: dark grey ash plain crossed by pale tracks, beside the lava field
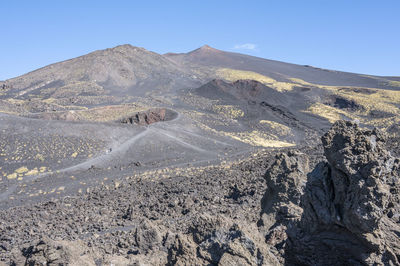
(44, 159)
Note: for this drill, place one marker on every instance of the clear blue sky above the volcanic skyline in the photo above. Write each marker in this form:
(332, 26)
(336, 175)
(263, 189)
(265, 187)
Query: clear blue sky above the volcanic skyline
(361, 36)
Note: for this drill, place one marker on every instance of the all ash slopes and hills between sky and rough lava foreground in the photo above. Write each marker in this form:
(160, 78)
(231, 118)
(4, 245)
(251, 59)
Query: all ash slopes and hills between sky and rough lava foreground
(225, 104)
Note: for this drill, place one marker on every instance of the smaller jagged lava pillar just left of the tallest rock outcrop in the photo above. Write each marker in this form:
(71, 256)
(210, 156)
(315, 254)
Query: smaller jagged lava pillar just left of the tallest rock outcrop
(286, 179)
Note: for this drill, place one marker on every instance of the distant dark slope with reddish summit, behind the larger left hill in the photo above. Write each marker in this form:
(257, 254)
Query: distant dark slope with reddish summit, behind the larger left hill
(208, 56)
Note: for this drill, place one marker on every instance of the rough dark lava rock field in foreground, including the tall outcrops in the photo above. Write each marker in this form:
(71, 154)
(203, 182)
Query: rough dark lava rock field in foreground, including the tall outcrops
(289, 208)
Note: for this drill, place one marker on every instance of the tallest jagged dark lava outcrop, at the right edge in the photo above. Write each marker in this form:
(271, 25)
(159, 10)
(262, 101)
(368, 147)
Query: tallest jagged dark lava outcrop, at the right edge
(350, 203)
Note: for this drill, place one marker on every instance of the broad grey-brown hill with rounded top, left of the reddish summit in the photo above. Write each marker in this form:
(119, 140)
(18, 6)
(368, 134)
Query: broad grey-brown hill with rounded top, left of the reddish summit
(120, 71)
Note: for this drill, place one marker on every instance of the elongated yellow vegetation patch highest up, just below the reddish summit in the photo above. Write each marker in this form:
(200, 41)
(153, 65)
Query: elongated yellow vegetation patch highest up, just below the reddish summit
(234, 75)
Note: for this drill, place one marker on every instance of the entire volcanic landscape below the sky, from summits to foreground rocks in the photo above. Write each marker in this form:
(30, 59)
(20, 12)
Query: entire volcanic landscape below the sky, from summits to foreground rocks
(128, 157)
